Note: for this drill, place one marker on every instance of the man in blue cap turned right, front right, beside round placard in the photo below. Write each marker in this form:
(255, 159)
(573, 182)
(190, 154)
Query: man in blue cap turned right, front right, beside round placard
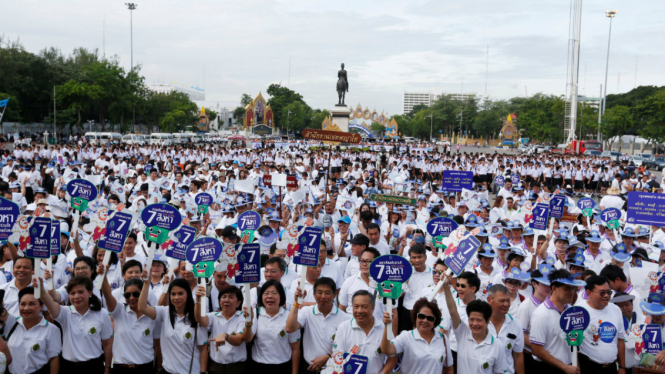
(550, 351)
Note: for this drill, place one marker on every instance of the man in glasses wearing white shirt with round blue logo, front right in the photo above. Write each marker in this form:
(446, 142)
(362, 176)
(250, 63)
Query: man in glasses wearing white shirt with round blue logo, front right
(603, 343)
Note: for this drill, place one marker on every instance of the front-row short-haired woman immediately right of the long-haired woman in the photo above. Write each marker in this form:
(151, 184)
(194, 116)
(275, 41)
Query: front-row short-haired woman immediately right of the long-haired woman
(227, 326)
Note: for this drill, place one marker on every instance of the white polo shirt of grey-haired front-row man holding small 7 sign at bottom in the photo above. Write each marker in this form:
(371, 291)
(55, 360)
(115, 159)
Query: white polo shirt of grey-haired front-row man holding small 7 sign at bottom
(349, 334)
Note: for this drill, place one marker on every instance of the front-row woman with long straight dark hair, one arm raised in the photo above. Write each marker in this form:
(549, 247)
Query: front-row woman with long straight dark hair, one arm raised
(183, 340)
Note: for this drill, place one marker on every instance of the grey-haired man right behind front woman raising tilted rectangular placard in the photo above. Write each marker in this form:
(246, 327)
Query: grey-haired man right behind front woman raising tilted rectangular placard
(507, 330)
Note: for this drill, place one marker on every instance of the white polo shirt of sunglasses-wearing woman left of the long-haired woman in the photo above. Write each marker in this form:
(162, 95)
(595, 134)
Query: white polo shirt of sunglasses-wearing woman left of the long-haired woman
(133, 339)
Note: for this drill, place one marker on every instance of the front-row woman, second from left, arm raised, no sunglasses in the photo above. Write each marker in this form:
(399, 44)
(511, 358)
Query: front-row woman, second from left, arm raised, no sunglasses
(86, 329)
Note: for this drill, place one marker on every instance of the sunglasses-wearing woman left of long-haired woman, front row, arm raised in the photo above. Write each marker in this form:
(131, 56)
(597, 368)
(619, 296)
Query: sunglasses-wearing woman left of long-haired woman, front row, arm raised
(135, 333)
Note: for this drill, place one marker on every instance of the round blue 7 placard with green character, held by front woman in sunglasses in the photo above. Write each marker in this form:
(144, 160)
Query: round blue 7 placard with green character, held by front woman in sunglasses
(390, 272)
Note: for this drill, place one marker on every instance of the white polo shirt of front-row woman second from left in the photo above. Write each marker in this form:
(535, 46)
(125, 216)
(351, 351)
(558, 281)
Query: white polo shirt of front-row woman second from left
(83, 334)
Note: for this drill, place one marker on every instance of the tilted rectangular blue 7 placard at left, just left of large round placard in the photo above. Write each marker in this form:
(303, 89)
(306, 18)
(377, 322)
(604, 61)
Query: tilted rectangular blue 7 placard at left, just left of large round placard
(113, 238)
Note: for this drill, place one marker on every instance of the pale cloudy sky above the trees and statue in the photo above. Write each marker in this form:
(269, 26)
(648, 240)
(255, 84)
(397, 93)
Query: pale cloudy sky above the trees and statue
(235, 47)
